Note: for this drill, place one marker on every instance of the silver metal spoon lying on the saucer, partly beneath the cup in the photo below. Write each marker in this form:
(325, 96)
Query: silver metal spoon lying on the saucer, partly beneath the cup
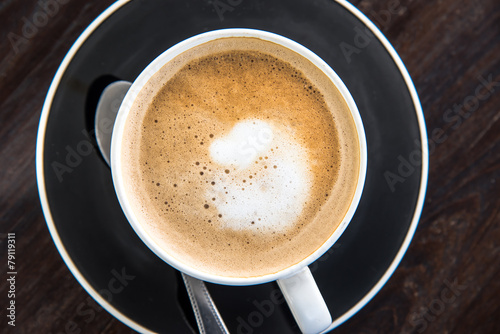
(207, 316)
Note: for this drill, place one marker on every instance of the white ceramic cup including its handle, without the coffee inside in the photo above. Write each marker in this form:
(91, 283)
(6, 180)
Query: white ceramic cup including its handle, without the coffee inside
(296, 282)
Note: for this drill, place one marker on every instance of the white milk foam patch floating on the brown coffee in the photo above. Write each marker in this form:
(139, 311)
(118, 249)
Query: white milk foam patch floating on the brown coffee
(263, 182)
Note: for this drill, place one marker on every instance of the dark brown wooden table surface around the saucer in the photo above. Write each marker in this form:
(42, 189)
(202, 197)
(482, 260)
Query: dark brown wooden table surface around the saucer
(449, 280)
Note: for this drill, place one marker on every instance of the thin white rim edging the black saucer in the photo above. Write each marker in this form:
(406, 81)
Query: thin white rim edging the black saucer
(89, 288)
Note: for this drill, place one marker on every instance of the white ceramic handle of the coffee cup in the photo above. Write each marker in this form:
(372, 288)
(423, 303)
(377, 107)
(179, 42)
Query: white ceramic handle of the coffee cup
(306, 302)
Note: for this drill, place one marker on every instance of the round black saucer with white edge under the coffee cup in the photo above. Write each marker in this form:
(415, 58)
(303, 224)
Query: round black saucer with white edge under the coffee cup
(86, 221)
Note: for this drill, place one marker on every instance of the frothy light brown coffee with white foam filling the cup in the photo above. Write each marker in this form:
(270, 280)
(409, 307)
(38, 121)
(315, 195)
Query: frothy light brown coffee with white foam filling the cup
(240, 157)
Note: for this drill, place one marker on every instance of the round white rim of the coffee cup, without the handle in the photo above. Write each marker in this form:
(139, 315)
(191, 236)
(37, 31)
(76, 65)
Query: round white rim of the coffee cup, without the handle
(141, 81)
